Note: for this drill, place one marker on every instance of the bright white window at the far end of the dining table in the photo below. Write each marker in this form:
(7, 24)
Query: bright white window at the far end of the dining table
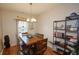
(22, 27)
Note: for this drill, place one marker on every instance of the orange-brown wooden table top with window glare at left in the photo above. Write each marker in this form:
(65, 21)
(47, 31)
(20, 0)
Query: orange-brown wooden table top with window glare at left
(31, 40)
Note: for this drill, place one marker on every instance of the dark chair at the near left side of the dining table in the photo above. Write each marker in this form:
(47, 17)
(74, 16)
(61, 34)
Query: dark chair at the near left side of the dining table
(23, 49)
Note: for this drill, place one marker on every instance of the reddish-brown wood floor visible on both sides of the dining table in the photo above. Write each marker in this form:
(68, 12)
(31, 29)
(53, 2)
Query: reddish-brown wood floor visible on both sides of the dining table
(13, 51)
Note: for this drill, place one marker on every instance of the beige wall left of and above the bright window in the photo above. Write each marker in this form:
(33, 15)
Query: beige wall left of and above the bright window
(9, 24)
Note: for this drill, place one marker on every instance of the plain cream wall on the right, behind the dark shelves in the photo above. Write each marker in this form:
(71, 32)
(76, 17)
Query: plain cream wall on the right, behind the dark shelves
(45, 21)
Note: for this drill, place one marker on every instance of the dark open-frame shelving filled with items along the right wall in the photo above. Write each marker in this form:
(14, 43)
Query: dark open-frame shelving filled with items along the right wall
(70, 35)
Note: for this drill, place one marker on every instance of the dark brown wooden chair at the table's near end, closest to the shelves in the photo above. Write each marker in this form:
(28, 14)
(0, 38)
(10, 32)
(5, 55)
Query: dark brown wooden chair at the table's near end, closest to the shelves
(41, 46)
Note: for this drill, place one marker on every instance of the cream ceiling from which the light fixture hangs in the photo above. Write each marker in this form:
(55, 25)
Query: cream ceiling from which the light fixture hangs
(37, 8)
